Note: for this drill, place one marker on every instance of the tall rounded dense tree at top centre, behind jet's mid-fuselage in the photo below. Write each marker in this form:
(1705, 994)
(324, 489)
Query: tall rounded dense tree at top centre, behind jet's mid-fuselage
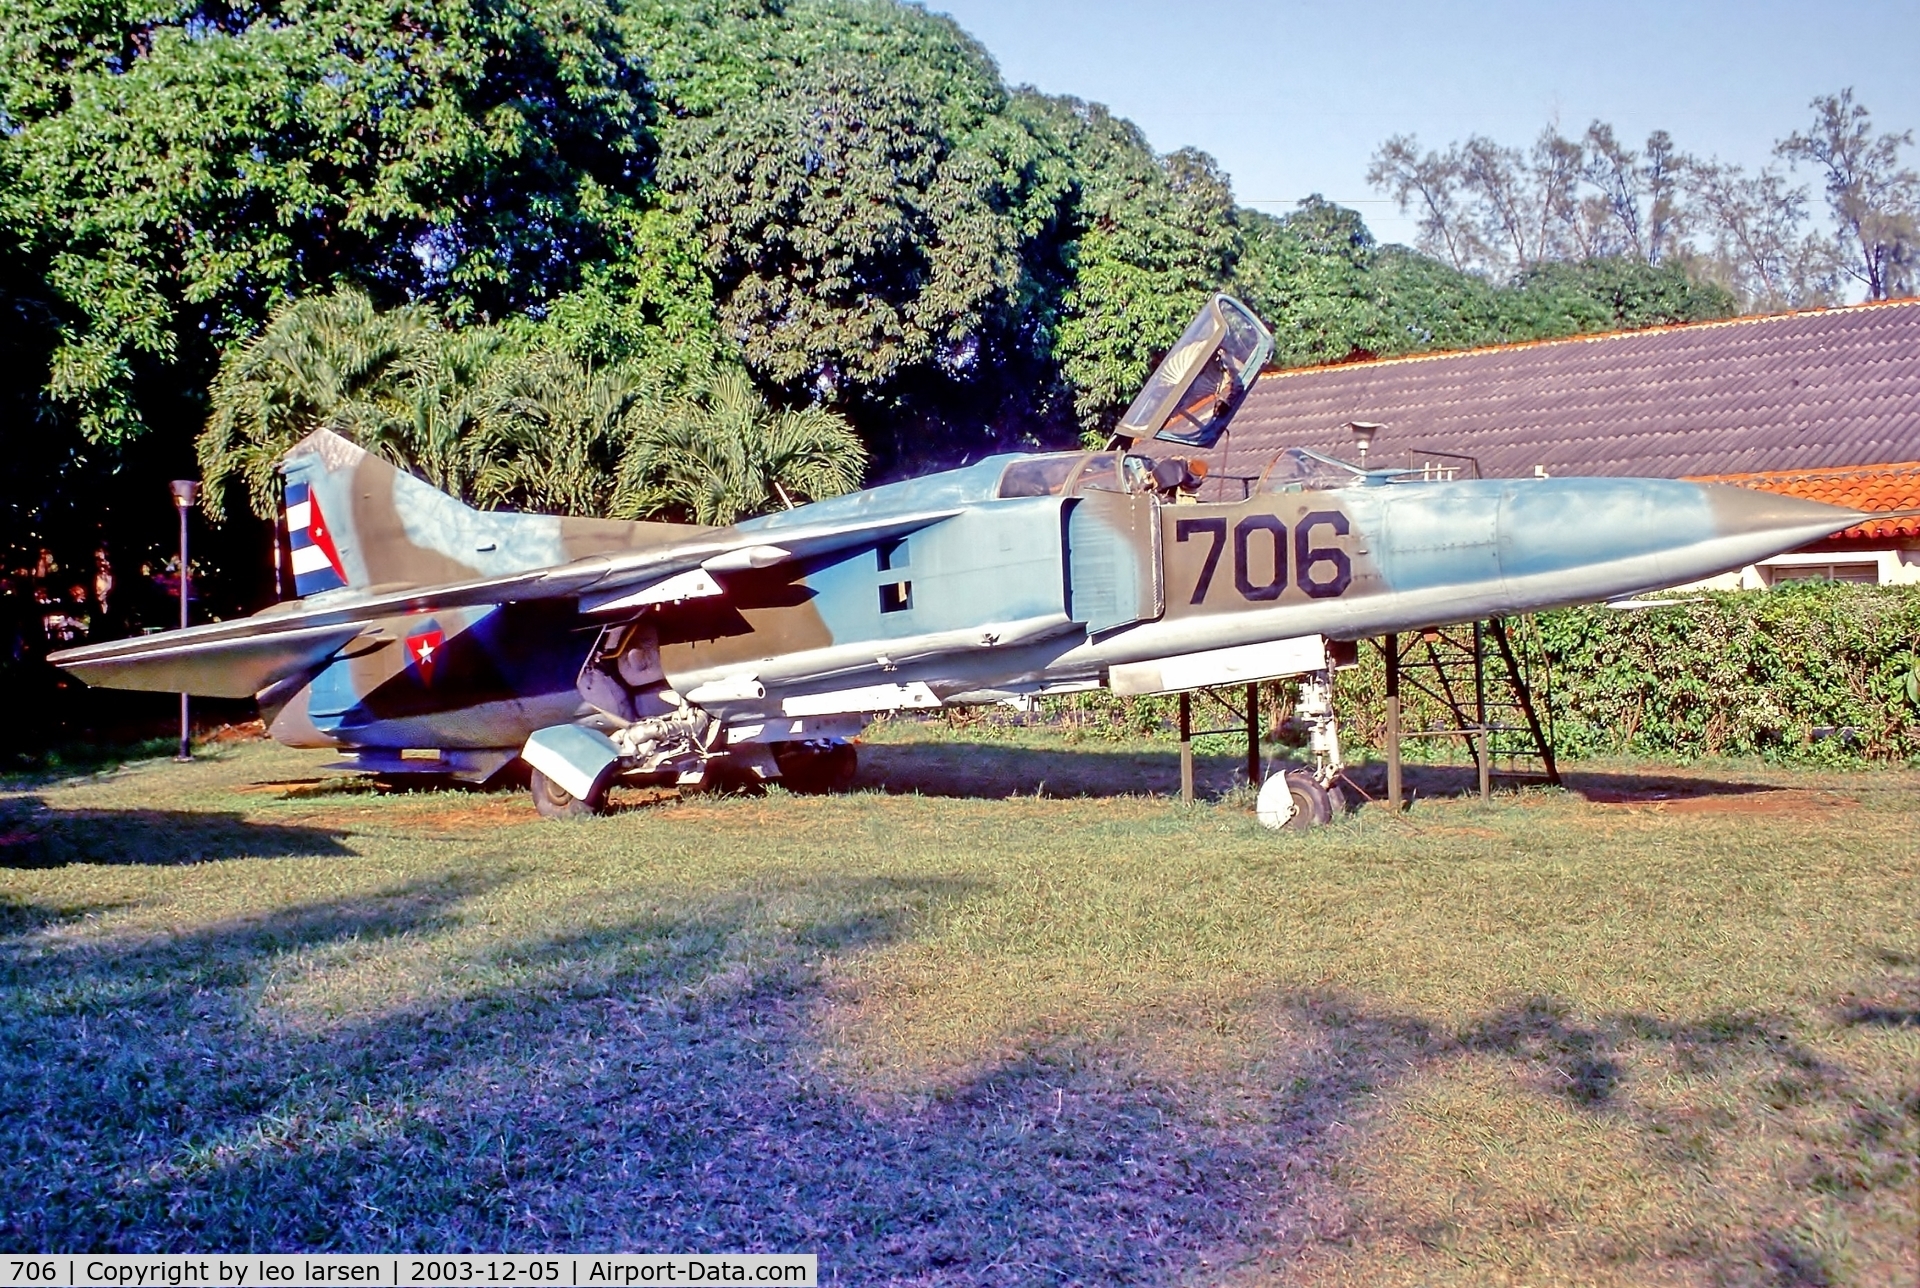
(857, 185)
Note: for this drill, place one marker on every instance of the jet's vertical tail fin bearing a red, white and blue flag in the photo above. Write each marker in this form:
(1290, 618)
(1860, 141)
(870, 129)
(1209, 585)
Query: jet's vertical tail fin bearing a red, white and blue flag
(360, 523)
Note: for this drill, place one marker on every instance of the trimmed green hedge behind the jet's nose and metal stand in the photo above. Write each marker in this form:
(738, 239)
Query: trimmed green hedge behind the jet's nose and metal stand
(1812, 673)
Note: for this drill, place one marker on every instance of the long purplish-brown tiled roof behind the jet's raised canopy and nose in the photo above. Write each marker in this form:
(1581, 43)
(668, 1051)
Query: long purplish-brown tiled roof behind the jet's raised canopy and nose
(1794, 393)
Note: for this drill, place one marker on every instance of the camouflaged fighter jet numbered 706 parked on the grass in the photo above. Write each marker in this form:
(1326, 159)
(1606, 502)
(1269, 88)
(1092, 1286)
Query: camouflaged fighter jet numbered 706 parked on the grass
(433, 638)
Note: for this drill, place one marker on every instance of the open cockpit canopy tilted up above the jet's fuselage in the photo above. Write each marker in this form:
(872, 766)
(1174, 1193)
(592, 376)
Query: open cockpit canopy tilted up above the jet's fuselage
(1203, 379)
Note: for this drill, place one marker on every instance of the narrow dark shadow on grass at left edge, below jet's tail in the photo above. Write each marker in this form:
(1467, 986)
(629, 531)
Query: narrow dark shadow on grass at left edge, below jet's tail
(39, 836)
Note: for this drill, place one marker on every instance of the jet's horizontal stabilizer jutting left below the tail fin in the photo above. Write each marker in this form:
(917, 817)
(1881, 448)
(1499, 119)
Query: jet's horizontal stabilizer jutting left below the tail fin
(210, 661)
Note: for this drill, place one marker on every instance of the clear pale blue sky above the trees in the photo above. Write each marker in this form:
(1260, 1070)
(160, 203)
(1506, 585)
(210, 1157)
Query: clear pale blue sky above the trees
(1293, 99)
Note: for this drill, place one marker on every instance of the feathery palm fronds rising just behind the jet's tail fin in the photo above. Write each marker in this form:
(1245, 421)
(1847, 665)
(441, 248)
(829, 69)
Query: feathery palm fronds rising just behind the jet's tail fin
(504, 416)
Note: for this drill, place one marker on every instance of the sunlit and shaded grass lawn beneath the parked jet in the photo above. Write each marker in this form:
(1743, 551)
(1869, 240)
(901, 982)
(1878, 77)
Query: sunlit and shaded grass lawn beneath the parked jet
(988, 1020)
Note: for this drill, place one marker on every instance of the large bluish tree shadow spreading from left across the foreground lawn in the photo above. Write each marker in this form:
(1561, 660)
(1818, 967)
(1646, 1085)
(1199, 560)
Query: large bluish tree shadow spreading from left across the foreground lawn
(654, 1082)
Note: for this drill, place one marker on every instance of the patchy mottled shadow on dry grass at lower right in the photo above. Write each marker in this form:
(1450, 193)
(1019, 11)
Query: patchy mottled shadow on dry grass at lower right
(1840, 1141)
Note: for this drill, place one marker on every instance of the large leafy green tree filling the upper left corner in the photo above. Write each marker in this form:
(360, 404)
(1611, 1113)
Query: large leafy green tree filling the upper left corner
(183, 170)
